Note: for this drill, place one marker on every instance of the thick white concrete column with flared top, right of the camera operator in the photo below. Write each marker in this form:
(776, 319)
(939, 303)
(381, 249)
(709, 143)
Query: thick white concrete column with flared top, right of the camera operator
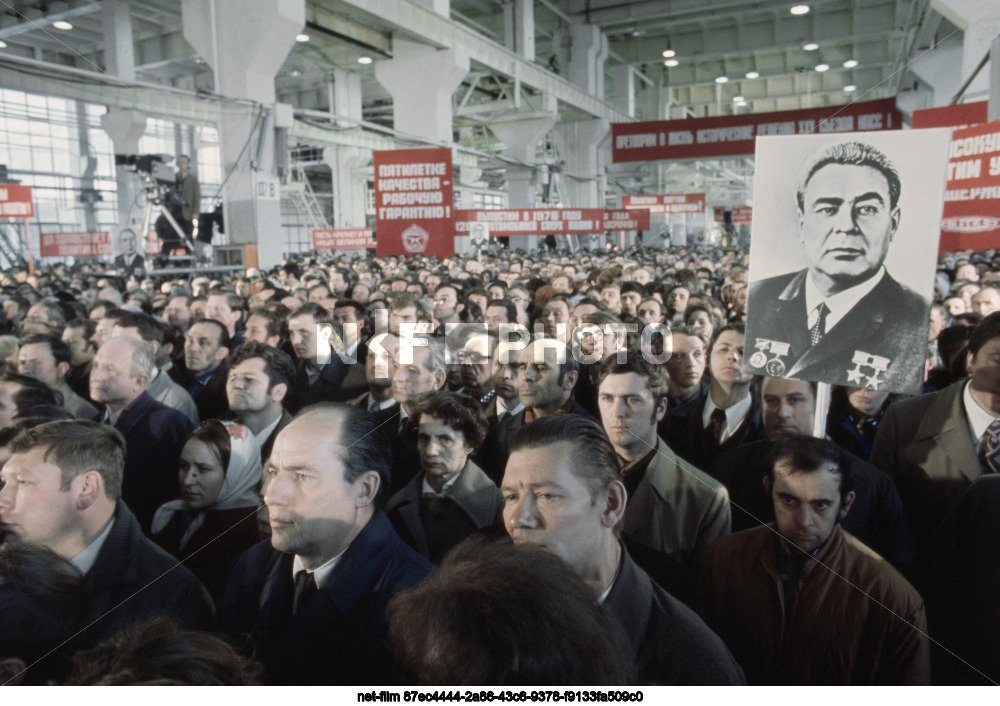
(246, 42)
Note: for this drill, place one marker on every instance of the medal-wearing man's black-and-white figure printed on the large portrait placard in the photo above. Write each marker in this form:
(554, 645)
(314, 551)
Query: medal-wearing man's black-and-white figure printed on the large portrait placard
(844, 319)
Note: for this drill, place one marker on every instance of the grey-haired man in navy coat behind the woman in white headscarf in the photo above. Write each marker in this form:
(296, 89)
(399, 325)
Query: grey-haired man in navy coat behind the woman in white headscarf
(154, 433)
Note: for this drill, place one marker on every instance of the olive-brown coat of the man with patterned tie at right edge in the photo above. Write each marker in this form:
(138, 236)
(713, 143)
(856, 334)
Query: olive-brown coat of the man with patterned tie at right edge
(925, 445)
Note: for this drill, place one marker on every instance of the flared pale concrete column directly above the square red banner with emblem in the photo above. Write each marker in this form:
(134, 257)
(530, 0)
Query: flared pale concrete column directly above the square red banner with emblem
(422, 81)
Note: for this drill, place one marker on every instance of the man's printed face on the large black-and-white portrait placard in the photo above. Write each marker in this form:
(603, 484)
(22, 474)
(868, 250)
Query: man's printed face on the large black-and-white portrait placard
(847, 222)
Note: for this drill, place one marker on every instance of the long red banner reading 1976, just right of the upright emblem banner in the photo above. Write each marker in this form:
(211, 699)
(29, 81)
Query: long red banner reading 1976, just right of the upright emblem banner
(504, 223)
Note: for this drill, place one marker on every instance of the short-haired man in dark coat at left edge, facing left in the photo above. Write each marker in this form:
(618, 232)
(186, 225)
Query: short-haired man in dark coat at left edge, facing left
(86, 522)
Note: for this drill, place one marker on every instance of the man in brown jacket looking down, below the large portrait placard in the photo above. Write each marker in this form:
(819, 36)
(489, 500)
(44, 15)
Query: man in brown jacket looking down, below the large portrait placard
(800, 601)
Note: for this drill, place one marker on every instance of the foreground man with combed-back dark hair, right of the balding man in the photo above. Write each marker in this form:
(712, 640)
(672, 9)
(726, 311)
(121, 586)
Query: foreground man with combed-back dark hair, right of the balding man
(563, 492)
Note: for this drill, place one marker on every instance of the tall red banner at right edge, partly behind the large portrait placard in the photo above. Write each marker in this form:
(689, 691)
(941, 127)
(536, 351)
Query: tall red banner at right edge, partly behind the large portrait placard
(971, 217)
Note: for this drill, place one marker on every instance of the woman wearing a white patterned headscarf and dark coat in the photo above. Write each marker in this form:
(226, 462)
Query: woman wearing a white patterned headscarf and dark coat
(214, 519)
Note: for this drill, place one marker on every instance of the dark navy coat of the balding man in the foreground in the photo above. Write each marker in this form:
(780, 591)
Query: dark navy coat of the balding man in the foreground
(338, 636)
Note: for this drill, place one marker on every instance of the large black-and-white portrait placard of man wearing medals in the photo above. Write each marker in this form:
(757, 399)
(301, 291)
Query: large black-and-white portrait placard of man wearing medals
(848, 300)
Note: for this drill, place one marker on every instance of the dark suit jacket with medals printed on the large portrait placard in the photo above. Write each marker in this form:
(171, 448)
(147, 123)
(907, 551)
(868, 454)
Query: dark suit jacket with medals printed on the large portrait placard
(889, 322)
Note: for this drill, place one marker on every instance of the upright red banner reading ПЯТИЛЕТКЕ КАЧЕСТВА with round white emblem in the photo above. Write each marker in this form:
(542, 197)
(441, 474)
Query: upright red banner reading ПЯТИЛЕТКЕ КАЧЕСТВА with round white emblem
(413, 202)
